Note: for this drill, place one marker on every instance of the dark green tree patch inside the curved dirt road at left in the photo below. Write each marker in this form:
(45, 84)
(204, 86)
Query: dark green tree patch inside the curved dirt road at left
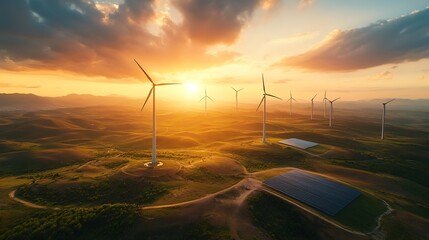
(105, 191)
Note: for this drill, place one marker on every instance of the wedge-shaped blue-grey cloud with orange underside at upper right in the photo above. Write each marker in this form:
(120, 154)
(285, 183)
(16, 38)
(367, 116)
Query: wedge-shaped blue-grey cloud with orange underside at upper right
(398, 40)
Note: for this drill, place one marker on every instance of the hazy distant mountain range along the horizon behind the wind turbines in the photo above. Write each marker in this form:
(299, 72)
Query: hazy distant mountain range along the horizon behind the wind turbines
(31, 102)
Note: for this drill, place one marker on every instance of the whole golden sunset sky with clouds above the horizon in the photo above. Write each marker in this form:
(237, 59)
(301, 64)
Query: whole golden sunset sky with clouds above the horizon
(355, 49)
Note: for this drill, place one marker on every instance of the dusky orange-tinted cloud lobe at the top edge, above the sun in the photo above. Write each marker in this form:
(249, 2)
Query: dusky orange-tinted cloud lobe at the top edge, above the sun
(215, 21)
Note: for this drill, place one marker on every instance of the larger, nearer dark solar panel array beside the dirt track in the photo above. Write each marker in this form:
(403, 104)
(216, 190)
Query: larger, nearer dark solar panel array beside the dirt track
(318, 192)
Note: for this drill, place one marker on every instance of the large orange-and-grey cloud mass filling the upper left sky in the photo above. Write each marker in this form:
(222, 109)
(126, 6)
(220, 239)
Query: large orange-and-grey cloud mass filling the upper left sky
(101, 39)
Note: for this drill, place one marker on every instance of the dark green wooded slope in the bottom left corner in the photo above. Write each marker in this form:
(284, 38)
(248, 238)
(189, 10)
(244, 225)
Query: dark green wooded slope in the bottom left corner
(104, 222)
